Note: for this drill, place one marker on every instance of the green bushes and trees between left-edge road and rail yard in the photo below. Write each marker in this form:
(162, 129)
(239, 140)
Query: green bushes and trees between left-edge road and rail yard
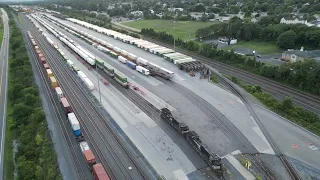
(36, 158)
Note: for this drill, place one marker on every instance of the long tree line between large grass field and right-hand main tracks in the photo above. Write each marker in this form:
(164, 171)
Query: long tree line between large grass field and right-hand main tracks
(301, 75)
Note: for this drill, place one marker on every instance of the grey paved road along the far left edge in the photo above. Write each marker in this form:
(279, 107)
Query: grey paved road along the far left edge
(3, 89)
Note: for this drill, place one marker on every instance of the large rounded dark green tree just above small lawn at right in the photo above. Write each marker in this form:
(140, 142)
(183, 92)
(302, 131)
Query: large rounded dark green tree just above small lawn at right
(286, 40)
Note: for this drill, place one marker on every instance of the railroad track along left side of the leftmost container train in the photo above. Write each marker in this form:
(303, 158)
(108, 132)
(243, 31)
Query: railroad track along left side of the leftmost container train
(58, 114)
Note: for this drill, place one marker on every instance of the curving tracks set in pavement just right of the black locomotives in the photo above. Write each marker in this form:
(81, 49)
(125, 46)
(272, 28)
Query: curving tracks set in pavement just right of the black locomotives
(226, 126)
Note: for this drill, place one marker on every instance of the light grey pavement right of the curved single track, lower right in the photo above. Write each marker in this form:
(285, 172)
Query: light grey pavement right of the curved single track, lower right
(291, 139)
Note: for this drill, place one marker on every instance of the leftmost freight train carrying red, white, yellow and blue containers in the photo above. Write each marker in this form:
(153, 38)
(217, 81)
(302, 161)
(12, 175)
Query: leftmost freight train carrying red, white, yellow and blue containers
(98, 171)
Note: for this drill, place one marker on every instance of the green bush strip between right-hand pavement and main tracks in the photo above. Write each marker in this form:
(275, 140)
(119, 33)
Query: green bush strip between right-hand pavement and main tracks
(284, 108)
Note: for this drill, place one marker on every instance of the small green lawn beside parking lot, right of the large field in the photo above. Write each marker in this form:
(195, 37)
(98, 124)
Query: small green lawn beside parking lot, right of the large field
(259, 46)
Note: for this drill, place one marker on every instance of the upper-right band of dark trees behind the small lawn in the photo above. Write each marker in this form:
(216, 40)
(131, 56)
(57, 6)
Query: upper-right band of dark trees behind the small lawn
(286, 36)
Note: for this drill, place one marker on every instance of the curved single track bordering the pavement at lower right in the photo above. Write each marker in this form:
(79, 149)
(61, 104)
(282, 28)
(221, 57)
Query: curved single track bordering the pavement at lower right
(288, 166)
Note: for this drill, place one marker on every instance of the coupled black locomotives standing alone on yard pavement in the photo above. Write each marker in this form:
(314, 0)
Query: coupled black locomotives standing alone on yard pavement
(192, 137)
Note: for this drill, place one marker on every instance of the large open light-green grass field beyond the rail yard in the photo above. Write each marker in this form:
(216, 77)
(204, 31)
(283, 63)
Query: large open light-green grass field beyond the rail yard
(184, 29)
